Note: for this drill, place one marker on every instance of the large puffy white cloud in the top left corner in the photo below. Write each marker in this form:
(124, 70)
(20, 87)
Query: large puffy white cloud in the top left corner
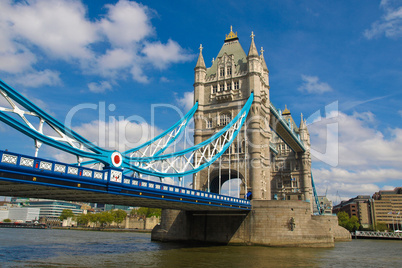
(59, 28)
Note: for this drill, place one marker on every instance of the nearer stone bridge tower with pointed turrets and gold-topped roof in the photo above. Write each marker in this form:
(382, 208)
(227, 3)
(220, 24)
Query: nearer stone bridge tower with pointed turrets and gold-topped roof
(221, 92)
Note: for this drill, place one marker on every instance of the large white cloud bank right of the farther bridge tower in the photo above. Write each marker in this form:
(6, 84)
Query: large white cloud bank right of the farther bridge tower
(367, 158)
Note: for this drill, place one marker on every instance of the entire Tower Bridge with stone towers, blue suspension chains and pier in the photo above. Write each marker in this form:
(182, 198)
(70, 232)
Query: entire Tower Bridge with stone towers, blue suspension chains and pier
(239, 134)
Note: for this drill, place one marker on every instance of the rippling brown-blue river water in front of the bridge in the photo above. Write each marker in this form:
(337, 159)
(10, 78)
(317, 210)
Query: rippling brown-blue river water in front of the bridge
(71, 248)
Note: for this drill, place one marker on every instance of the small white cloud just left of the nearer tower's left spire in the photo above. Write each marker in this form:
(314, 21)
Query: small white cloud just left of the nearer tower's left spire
(161, 55)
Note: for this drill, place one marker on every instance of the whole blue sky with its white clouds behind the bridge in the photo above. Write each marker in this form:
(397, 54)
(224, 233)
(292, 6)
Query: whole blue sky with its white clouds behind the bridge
(128, 56)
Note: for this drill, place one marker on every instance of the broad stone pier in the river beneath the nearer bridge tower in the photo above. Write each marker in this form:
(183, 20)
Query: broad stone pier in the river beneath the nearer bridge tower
(270, 223)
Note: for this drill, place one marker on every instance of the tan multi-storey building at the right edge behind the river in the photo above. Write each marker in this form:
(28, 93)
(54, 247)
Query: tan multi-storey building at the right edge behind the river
(387, 208)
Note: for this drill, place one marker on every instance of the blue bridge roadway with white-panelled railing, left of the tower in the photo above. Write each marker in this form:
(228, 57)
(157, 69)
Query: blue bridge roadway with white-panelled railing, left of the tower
(27, 176)
